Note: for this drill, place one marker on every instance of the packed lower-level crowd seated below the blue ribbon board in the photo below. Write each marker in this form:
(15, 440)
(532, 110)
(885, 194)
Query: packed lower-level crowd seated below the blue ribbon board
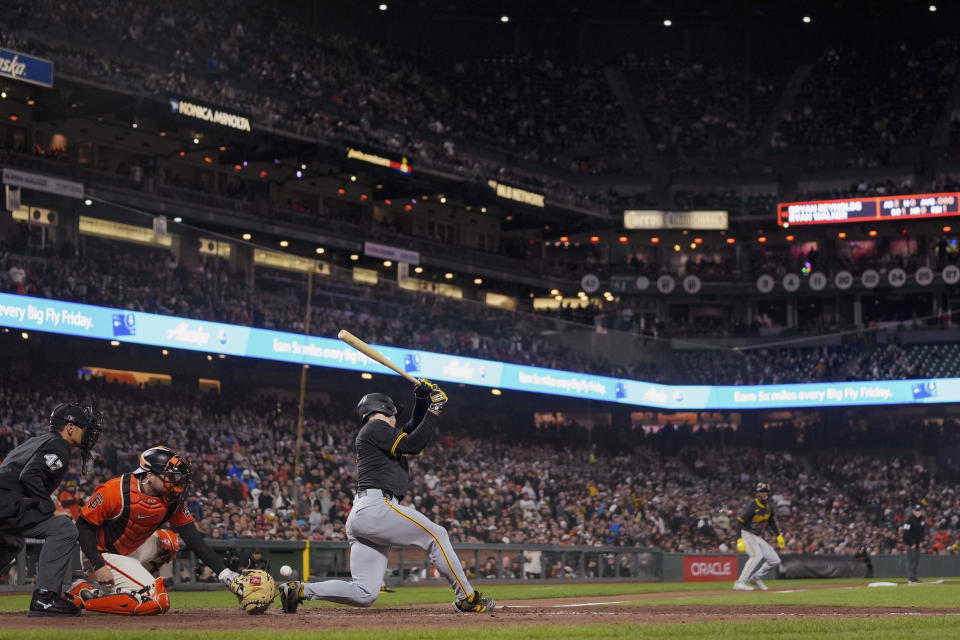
(521, 485)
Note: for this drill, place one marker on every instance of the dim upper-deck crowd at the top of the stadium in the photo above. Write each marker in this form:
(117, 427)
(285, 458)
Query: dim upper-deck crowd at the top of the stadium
(478, 116)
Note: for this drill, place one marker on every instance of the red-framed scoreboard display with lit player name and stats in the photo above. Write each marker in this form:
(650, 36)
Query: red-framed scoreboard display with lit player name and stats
(877, 209)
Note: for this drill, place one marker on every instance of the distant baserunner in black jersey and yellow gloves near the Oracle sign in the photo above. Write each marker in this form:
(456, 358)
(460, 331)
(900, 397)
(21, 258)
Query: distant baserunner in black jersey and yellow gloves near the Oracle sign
(756, 517)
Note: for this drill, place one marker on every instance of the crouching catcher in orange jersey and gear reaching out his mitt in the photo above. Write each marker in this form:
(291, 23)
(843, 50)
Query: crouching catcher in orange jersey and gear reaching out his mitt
(123, 544)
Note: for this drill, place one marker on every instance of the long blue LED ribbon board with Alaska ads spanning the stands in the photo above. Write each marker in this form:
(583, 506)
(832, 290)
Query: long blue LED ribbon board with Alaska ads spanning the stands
(69, 318)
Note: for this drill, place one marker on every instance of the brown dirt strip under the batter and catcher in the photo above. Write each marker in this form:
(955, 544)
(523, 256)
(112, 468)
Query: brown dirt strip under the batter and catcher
(519, 613)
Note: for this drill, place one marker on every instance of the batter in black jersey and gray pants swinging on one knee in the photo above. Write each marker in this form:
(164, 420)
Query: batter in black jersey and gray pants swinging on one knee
(378, 521)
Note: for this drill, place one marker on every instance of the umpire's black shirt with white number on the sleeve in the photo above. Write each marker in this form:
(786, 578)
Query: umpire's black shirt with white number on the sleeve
(36, 468)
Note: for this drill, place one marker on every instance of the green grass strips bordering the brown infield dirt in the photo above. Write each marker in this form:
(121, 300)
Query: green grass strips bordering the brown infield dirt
(788, 593)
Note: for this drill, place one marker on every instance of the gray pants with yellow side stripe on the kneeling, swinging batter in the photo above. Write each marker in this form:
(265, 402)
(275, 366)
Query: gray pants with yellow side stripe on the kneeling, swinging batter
(375, 524)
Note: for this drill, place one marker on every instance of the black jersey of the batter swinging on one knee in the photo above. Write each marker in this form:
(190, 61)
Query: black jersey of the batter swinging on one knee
(381, 463)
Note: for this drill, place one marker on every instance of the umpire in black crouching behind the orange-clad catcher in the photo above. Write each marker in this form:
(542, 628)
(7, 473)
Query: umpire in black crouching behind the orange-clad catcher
(28, 475)
